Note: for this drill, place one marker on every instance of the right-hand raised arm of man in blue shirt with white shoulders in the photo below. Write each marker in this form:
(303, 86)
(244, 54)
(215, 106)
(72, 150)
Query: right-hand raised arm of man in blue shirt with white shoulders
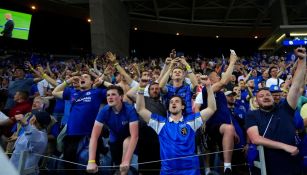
(209, 111)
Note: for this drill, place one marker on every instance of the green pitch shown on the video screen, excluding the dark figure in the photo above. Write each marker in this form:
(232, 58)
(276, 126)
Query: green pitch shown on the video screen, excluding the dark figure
(22, 23)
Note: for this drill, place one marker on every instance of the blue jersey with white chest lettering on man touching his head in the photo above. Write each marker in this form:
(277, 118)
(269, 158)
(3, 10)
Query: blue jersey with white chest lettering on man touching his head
(84, 108)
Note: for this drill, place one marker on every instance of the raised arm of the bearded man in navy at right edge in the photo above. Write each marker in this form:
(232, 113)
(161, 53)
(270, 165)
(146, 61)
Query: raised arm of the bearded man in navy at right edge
(299, 76)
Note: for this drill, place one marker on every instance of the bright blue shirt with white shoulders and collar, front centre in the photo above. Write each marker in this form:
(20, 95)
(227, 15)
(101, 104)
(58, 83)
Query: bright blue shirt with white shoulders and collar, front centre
(177, 140)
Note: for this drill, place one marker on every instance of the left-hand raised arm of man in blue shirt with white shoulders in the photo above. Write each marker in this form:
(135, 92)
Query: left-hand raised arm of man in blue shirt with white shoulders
(140, 102)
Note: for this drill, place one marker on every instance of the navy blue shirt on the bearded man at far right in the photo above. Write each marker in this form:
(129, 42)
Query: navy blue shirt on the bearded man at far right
(281, 129)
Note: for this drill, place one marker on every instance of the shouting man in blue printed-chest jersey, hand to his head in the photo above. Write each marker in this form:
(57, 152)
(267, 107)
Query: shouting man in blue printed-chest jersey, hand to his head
(85, 103)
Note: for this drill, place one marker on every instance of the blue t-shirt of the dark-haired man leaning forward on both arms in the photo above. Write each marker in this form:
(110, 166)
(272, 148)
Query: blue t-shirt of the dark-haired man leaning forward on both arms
(118, 123)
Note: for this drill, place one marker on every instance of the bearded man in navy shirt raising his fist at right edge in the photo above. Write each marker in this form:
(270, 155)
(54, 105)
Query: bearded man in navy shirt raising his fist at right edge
(272, 125)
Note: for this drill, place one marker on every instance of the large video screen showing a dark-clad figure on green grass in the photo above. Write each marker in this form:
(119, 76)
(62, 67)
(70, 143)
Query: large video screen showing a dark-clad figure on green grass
(14, 24)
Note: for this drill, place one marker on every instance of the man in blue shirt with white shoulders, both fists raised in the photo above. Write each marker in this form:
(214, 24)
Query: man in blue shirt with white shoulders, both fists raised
(177, 132)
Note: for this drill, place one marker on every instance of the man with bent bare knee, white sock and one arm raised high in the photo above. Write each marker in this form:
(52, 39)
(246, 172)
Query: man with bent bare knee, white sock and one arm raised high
(219, 127)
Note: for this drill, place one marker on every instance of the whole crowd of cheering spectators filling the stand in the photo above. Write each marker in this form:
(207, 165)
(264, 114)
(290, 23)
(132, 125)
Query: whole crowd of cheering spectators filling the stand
(107, 110)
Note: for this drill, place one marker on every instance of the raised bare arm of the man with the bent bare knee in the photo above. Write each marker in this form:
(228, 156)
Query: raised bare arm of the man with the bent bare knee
(227, 76)
